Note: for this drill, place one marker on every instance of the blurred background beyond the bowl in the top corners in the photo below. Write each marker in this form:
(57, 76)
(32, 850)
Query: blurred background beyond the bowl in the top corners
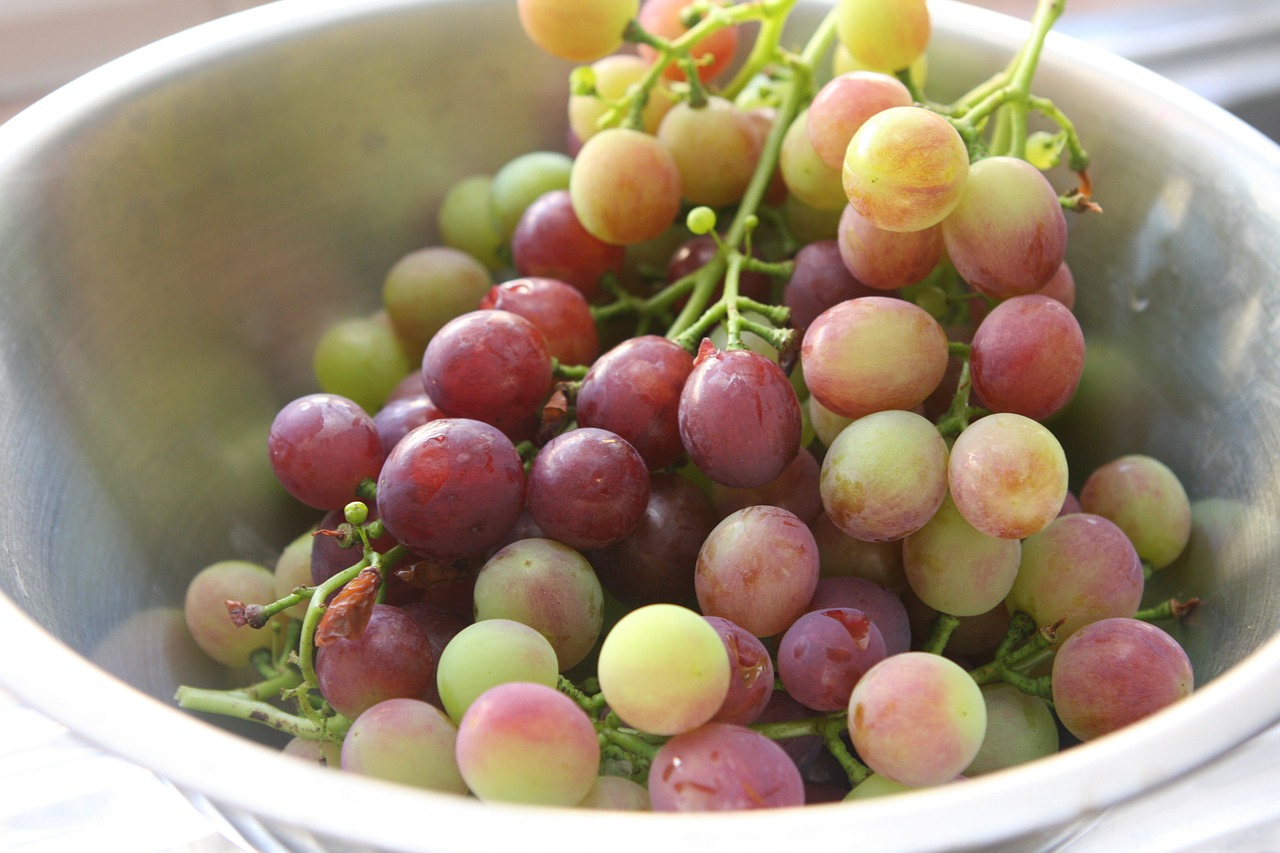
(1227, 51)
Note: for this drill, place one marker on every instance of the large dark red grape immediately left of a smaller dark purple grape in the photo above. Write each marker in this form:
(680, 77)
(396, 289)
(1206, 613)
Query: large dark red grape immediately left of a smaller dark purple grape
(451, 489)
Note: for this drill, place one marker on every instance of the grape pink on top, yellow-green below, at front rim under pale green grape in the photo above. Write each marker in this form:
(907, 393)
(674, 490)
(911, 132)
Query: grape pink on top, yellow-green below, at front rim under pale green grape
(528, 743)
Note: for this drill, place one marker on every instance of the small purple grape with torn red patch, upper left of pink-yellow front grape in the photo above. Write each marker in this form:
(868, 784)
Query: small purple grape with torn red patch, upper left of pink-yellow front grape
(824, 655)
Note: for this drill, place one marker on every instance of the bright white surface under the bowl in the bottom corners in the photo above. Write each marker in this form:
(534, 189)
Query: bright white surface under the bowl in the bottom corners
(60, 795)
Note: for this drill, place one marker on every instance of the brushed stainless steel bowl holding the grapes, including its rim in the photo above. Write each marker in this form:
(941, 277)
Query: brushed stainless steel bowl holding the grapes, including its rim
(177, 227)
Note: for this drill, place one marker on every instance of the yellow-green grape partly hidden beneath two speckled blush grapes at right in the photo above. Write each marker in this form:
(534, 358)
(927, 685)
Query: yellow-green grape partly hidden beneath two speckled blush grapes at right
(958, 569)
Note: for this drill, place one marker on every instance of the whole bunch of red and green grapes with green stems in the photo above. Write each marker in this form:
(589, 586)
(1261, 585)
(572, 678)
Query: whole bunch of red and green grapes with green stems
(708, 464)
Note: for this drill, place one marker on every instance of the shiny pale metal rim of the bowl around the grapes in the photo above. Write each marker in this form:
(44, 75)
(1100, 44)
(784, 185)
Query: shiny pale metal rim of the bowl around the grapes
(195, 755)
